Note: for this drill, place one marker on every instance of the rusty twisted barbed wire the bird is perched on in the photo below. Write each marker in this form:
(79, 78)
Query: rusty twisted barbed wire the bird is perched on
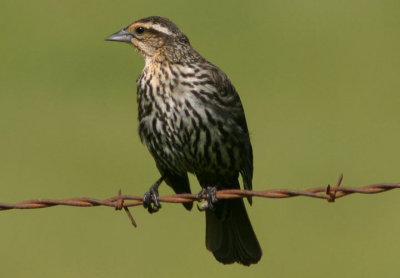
(119, 202)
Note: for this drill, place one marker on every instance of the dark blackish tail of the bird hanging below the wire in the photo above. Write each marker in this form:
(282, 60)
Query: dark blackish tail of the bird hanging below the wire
(229, 234)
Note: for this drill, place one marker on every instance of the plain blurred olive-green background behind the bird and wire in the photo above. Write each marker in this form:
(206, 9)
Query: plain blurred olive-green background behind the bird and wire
(320, 83)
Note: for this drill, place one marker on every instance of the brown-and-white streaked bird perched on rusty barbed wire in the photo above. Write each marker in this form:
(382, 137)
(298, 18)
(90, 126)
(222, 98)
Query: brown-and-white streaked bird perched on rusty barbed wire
(192, 121)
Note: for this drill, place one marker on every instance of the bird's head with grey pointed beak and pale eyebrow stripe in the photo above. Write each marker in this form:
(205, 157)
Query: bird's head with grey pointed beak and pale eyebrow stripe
(155, 38)
